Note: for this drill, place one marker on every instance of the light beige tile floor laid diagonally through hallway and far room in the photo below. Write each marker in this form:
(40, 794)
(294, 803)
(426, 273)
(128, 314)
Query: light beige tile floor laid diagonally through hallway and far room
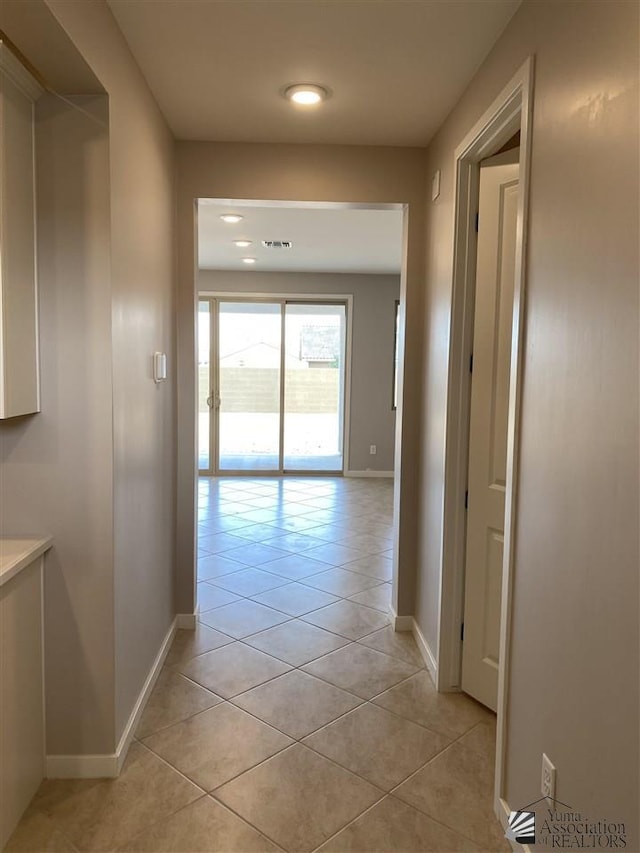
(294, 718)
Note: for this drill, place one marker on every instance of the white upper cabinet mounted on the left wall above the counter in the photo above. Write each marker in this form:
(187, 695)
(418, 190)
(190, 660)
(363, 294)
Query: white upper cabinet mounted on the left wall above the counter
(19, 379)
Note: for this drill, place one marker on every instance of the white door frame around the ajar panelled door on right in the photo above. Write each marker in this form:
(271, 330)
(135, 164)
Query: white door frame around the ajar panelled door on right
(510, 111)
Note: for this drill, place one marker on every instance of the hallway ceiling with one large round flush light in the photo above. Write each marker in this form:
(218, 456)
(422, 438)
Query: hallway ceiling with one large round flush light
(396, 67)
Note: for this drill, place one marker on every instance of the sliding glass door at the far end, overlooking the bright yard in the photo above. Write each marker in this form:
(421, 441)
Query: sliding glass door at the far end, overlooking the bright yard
(271, 393)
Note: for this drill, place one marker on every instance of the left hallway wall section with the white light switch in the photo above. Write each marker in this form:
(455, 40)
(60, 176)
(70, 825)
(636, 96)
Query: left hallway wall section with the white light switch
(142, 270)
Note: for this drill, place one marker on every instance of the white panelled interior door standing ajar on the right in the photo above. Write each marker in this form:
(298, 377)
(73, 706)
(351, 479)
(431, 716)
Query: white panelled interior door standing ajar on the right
(488, 424)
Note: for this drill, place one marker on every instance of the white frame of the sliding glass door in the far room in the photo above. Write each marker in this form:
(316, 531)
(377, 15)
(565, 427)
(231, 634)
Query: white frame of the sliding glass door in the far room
(346, 299)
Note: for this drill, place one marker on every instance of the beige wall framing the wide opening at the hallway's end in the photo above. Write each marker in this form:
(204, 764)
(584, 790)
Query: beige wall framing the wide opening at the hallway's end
(304, 173)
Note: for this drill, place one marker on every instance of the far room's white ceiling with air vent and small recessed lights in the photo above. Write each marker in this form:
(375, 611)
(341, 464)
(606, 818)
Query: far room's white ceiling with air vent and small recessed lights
(324, 239)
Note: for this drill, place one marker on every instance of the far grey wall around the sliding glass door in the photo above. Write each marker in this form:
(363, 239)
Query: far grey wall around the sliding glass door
(372, 420)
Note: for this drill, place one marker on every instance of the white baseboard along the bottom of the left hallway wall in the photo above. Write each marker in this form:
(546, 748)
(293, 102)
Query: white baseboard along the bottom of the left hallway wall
(109, 765)
